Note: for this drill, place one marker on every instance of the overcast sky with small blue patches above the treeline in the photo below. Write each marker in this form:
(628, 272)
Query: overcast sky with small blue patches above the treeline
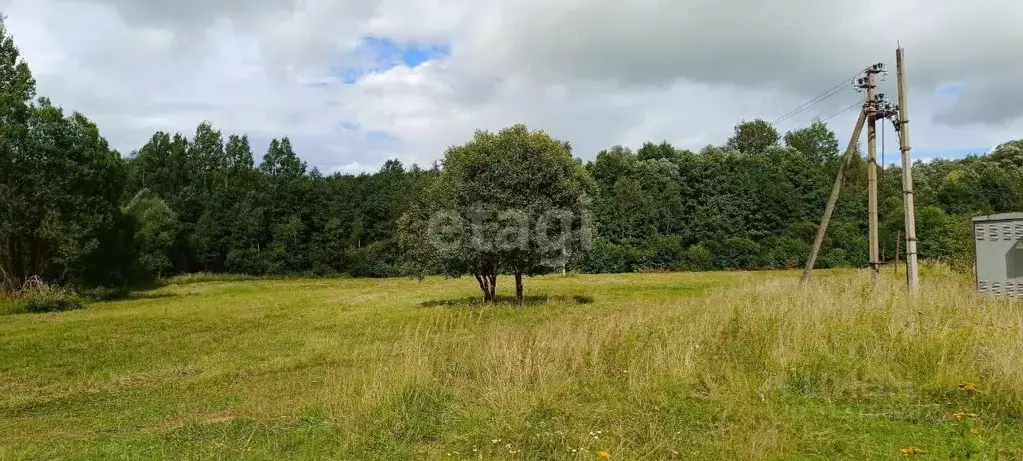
(357, 82)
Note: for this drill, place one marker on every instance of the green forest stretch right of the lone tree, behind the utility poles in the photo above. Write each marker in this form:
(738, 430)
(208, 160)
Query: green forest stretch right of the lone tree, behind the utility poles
(757, 202)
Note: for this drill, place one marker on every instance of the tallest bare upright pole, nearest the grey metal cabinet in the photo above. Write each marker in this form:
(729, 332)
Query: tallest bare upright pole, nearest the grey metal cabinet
(910, 208)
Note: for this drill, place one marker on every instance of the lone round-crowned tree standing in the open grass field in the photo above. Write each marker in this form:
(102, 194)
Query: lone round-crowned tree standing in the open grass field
(507, 203)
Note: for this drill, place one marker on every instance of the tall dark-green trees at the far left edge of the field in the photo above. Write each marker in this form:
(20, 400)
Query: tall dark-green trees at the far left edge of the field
(60, 190)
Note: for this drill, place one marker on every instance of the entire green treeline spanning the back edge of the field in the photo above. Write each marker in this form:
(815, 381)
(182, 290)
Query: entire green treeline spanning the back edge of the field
(75, 212)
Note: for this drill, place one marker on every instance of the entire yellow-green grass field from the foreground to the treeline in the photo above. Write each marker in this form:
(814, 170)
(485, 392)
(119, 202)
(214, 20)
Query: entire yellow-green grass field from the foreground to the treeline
(639, 366)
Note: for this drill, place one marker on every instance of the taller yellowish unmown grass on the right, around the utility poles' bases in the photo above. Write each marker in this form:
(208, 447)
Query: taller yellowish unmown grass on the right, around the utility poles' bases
(747, 372)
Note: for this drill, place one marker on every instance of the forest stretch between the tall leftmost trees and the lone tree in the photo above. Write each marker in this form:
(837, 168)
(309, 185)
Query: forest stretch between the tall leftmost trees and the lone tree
(217, 212)
